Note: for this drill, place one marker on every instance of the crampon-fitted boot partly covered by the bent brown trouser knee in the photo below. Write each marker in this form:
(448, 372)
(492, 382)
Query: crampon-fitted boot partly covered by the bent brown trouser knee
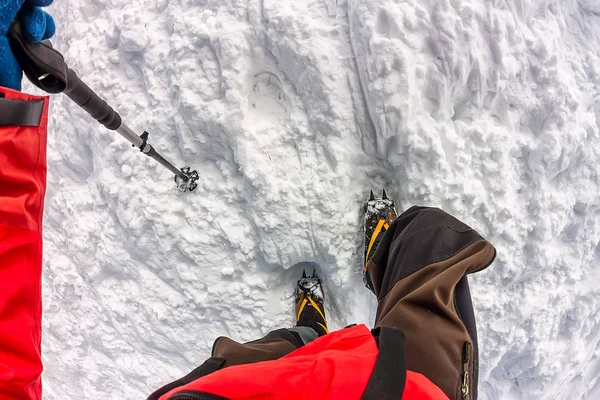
(379, 214)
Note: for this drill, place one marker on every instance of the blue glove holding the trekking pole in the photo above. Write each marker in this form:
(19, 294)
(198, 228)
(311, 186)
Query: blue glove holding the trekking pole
(38, 26)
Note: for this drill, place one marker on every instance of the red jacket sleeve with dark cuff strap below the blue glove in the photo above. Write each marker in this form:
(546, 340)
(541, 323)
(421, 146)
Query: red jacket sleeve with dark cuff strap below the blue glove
(22, 189)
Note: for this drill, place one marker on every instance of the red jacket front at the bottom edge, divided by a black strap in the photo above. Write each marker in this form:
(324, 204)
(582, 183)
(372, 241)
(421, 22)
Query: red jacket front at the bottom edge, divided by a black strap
(335, 366)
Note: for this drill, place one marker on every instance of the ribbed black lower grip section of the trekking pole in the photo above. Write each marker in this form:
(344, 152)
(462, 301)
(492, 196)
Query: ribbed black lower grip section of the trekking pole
(87, 99)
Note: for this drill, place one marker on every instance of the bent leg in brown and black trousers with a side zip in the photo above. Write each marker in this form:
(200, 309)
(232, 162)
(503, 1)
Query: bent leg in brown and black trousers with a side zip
(418, 273)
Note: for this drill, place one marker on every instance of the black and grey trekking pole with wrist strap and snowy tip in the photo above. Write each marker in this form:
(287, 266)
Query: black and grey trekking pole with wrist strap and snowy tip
(46, 68)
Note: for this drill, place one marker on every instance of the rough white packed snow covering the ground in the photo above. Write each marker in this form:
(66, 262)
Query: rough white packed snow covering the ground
(291, 111)
